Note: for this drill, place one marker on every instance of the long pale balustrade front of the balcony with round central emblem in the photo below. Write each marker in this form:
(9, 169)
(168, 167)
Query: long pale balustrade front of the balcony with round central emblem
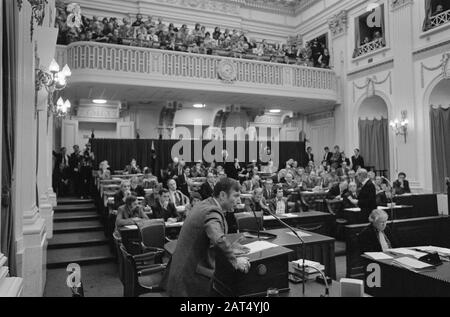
(115, 60)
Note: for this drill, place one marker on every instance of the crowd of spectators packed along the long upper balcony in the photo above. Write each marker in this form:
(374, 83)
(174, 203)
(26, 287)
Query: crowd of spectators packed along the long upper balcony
(155, 33)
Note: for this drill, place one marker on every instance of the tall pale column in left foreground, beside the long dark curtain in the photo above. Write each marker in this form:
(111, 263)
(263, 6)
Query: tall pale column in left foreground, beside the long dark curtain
(31, 236)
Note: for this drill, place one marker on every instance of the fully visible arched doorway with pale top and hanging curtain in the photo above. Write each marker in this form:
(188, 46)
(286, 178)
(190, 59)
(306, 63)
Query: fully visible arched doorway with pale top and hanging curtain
(373, 125)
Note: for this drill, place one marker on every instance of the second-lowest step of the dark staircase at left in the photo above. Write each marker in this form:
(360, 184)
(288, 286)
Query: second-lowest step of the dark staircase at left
(77, 239)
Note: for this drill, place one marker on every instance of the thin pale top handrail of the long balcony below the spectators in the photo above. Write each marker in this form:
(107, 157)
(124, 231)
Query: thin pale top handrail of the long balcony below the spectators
(146, 49)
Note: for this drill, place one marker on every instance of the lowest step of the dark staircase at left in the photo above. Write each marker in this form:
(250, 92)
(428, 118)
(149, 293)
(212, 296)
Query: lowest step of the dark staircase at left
(82, 256)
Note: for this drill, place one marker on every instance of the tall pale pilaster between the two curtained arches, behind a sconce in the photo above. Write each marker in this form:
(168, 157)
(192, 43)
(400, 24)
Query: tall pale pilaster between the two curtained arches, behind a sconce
(403, 98)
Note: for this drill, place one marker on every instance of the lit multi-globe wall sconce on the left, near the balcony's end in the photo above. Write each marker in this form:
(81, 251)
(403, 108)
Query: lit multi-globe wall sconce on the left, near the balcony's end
(54, 80)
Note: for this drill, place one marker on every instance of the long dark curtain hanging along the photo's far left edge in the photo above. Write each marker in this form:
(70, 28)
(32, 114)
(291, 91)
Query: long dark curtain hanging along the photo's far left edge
(9, 16)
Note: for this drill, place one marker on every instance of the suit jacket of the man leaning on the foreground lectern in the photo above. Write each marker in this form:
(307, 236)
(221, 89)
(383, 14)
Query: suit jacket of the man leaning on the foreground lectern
(192, 265)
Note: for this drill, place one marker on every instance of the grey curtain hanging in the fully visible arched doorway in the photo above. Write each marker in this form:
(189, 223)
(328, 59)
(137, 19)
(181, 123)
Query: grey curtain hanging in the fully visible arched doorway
(374, 143)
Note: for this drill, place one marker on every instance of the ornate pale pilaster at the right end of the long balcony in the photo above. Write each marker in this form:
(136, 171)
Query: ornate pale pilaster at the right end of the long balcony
(340, 58)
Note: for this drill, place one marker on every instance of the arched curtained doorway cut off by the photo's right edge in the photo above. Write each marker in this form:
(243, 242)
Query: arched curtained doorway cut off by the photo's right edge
(439, 108)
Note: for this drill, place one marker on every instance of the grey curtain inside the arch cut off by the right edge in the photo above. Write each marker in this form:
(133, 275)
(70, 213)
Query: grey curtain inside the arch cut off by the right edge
(440, 147)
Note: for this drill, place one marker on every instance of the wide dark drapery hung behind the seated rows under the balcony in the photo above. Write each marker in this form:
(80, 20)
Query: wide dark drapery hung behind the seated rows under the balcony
(119, 152)
